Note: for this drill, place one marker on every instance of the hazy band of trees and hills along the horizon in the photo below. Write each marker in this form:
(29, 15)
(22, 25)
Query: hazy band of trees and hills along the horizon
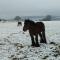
(45, 18)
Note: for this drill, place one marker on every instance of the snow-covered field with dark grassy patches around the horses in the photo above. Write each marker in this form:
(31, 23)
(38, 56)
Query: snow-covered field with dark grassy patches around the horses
(16, 44)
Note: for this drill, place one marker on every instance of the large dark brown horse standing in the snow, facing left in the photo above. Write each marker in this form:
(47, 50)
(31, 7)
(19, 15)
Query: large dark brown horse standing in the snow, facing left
(35, 29)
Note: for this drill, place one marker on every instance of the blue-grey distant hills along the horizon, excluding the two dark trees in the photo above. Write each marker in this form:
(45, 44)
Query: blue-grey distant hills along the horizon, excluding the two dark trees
(39, 18)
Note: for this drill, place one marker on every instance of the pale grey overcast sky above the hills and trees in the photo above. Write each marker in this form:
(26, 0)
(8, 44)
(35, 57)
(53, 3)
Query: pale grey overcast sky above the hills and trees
(11, 8)
